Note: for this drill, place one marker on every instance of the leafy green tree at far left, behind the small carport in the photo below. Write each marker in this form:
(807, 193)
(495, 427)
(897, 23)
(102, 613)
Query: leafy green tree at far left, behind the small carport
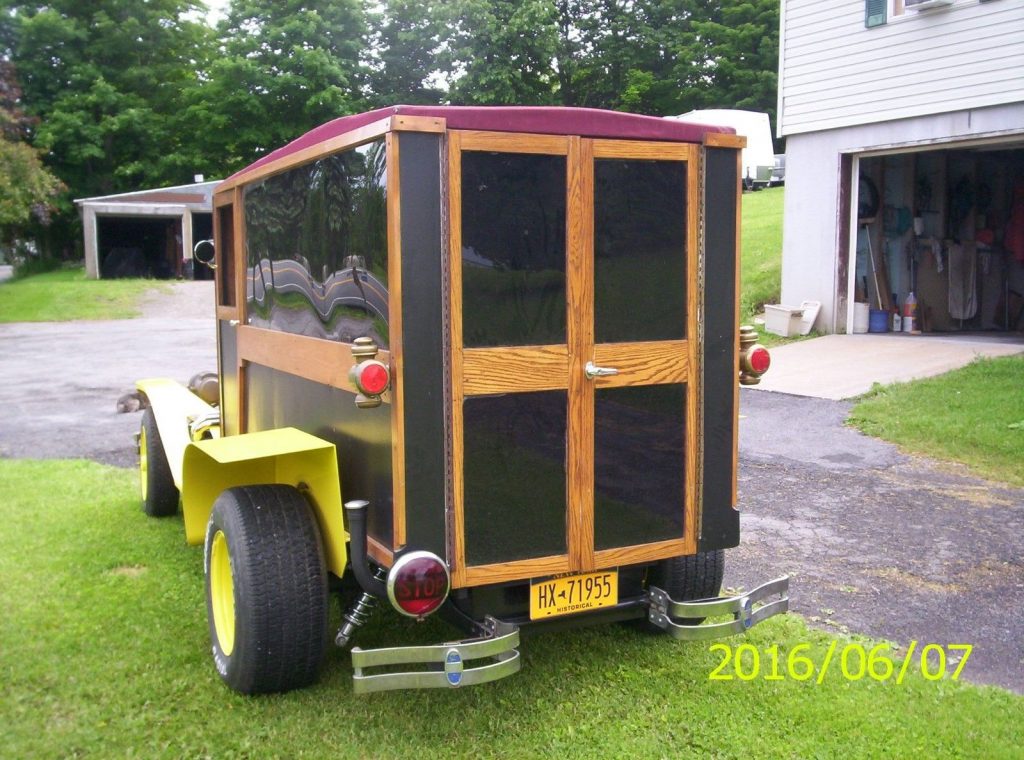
(105, 79)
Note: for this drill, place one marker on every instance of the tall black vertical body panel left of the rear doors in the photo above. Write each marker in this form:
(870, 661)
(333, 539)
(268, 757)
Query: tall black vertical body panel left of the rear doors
(422, 341)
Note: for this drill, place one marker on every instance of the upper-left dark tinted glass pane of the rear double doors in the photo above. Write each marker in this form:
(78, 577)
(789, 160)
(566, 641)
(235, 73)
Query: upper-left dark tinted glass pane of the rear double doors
(514, 249)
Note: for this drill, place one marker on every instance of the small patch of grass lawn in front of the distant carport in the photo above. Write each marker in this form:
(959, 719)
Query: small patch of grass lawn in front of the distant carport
(67, 294)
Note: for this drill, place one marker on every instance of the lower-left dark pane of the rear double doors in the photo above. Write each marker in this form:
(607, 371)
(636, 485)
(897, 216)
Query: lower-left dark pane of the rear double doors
(515, 477)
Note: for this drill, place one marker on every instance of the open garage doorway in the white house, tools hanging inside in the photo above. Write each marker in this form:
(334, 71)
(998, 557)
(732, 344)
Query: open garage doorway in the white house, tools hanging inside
(949, 227)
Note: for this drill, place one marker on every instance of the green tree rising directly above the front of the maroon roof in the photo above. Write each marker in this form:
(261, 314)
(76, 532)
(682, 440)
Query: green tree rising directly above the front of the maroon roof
(283, 69)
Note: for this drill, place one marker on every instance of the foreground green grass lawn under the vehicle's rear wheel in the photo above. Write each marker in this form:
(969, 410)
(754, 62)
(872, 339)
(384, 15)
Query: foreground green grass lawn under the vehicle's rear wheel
(105, 653)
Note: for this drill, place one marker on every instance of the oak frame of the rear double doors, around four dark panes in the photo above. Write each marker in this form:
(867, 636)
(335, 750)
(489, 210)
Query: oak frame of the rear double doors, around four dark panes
(482, 371)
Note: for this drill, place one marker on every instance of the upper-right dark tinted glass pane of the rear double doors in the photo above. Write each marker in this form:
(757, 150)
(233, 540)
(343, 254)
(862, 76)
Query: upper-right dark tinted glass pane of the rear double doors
(639, 250)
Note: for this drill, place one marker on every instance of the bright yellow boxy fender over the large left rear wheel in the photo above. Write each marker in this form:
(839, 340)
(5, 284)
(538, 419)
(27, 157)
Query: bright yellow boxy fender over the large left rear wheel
(282, 456)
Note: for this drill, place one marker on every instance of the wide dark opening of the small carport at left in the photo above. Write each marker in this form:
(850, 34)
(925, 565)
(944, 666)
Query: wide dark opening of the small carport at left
(140, 248)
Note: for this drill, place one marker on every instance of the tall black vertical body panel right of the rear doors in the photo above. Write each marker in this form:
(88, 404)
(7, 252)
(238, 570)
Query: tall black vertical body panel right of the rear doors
(719, 521)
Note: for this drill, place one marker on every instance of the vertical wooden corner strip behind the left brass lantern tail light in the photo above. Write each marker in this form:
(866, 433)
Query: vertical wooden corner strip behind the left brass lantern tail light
(396, 342)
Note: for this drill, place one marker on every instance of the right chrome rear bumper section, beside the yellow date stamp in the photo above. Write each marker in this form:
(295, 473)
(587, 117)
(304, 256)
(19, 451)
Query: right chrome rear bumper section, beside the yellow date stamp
(663, 610)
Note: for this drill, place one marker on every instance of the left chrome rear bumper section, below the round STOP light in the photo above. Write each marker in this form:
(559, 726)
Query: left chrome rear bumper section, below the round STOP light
(449, 664)
